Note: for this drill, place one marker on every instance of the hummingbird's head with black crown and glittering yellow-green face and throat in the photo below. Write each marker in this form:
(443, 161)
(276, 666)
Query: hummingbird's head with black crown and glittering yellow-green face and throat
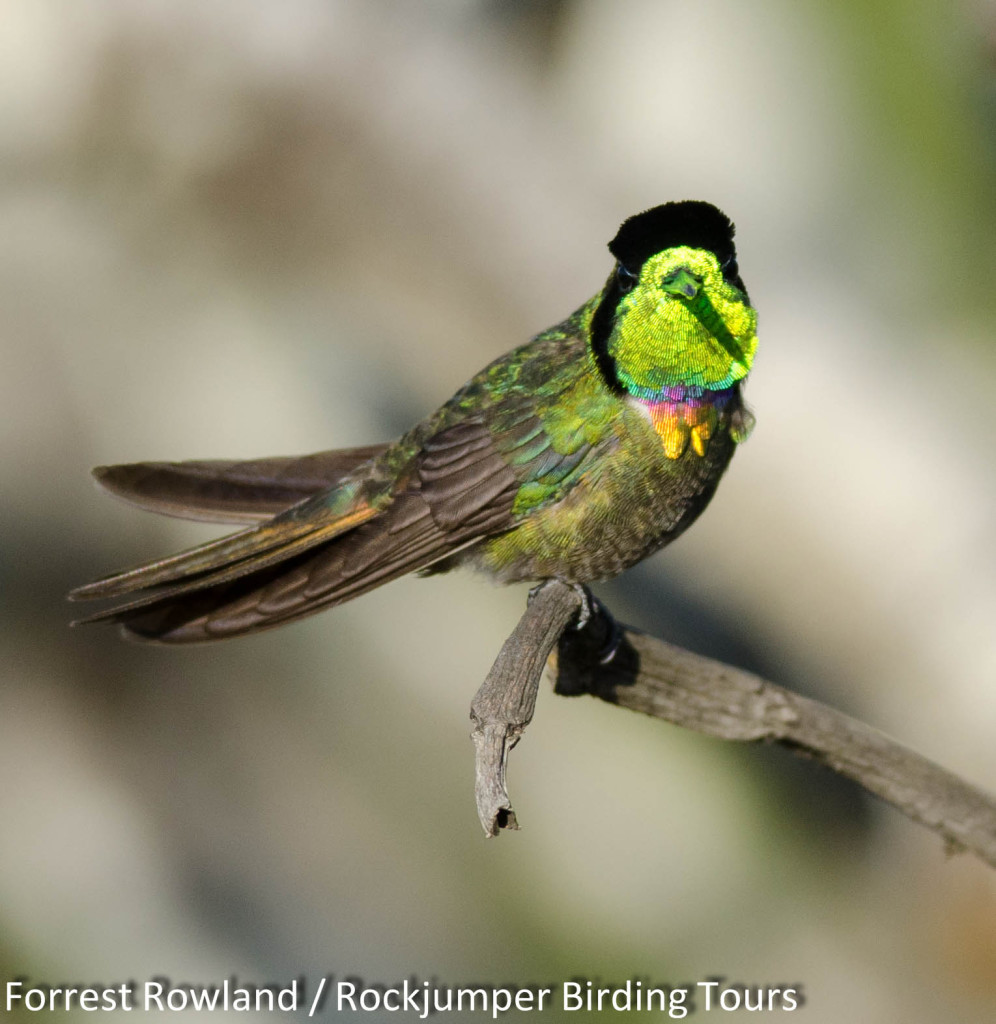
(675, 312)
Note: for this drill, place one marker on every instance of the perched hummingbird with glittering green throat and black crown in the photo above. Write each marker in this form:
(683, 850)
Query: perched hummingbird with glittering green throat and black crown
(573, 458)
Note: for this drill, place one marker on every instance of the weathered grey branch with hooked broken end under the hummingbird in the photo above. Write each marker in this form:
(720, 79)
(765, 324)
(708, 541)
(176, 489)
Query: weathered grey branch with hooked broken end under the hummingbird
(648, 675)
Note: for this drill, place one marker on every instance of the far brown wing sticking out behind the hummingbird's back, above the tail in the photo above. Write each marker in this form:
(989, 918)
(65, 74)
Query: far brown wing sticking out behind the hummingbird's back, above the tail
(233, 492)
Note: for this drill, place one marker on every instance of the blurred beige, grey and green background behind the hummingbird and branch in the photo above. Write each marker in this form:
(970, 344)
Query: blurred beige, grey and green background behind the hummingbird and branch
(248, 228)
